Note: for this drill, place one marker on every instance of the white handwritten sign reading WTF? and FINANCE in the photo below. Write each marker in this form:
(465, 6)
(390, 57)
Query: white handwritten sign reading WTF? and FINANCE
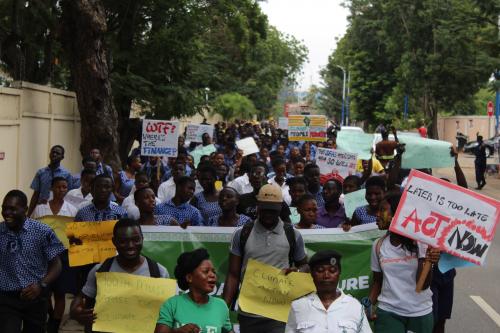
(159, 138)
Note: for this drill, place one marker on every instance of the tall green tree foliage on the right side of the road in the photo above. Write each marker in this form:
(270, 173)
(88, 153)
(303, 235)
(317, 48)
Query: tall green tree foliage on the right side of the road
(439, 53)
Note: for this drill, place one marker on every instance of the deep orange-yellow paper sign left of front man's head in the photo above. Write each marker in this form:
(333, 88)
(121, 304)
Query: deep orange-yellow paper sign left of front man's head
(90, 242)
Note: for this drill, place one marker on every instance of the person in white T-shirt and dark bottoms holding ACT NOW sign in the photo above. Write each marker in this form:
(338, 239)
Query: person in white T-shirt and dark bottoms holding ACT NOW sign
(397, 263)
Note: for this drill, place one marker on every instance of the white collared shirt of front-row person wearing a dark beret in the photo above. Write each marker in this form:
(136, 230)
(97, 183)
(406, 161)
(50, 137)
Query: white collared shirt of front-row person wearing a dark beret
(345, 315)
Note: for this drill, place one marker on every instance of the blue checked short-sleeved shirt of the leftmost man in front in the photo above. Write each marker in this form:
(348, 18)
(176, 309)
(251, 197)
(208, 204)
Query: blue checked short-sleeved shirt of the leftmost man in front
(25, 255)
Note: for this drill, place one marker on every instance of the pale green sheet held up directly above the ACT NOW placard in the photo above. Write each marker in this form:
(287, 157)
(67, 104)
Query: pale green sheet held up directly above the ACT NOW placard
(421, 153)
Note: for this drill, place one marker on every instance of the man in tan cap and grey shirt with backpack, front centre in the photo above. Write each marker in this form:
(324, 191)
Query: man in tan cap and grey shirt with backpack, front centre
(270, 241)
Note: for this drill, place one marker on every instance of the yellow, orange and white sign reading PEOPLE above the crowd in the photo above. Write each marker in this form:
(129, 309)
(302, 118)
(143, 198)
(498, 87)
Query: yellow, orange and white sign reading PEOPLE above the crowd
(307, 128)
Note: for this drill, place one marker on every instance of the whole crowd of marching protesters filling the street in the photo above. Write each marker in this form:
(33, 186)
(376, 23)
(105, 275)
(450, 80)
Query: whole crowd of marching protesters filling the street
(269, 196)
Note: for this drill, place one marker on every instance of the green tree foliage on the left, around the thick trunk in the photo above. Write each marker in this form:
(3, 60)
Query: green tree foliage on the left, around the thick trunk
(163, 54)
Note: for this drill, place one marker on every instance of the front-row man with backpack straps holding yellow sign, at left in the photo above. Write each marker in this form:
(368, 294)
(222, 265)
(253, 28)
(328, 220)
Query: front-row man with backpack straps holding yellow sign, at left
(128, 239)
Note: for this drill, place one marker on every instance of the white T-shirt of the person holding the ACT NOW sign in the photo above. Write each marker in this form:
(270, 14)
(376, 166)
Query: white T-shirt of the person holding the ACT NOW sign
(399, 269)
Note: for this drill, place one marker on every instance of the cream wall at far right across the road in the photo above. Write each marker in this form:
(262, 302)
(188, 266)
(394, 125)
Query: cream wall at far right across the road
(468, 125)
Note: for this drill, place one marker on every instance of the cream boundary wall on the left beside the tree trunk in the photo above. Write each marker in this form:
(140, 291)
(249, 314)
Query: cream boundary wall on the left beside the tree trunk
(33, 118)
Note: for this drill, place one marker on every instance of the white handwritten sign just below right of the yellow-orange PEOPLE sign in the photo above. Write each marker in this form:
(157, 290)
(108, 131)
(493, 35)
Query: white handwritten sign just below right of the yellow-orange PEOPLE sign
(336, 161)
